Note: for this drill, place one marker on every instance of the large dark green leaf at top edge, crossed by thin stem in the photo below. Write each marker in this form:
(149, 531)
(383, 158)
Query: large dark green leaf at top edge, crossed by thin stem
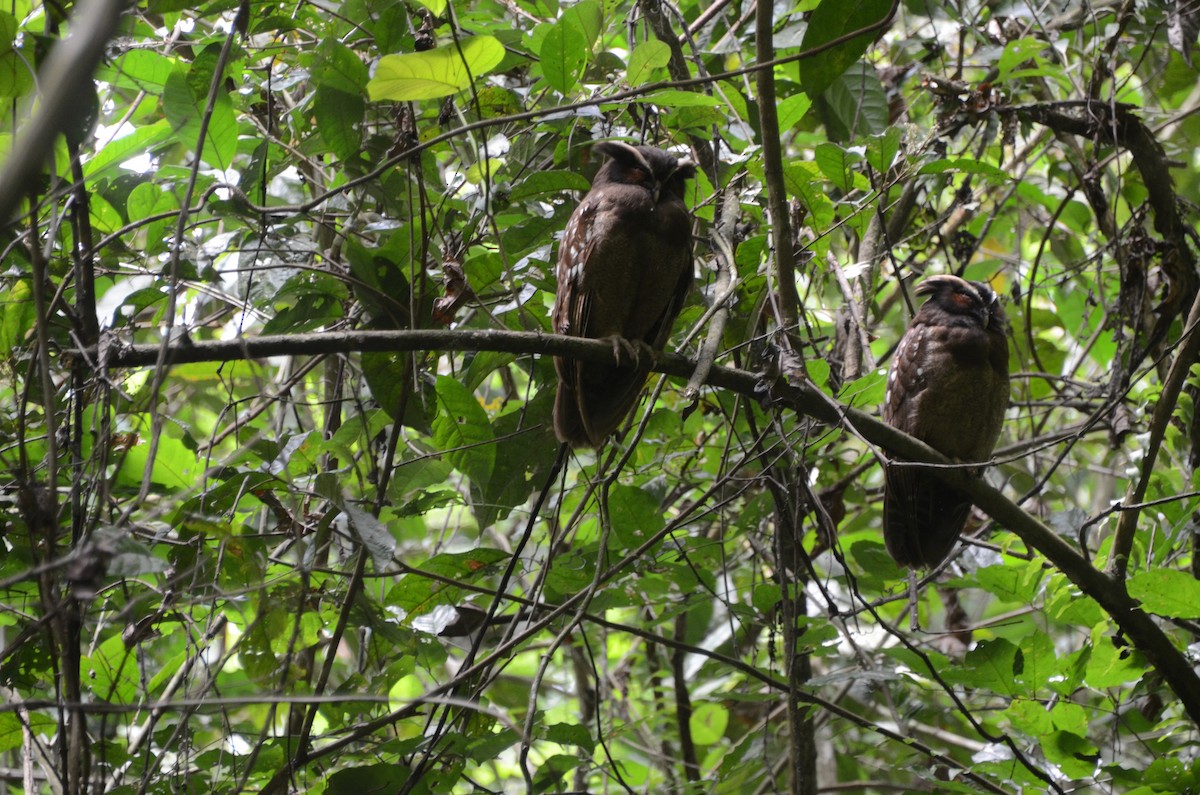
(832, 20)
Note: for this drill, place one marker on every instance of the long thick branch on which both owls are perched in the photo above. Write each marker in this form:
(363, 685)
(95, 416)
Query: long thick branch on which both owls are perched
(1109, 593)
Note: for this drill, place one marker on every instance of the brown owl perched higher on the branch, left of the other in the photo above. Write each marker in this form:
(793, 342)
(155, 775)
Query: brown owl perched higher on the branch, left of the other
(625, 268)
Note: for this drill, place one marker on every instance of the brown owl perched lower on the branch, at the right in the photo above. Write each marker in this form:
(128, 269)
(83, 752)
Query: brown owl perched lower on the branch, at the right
(949, 387)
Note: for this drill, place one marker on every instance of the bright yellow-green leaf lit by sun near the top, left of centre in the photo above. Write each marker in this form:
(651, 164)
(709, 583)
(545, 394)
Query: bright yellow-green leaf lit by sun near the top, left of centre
(436, 74)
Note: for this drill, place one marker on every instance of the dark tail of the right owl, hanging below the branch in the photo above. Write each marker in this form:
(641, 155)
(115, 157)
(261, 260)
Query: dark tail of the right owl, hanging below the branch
(923, 518)
